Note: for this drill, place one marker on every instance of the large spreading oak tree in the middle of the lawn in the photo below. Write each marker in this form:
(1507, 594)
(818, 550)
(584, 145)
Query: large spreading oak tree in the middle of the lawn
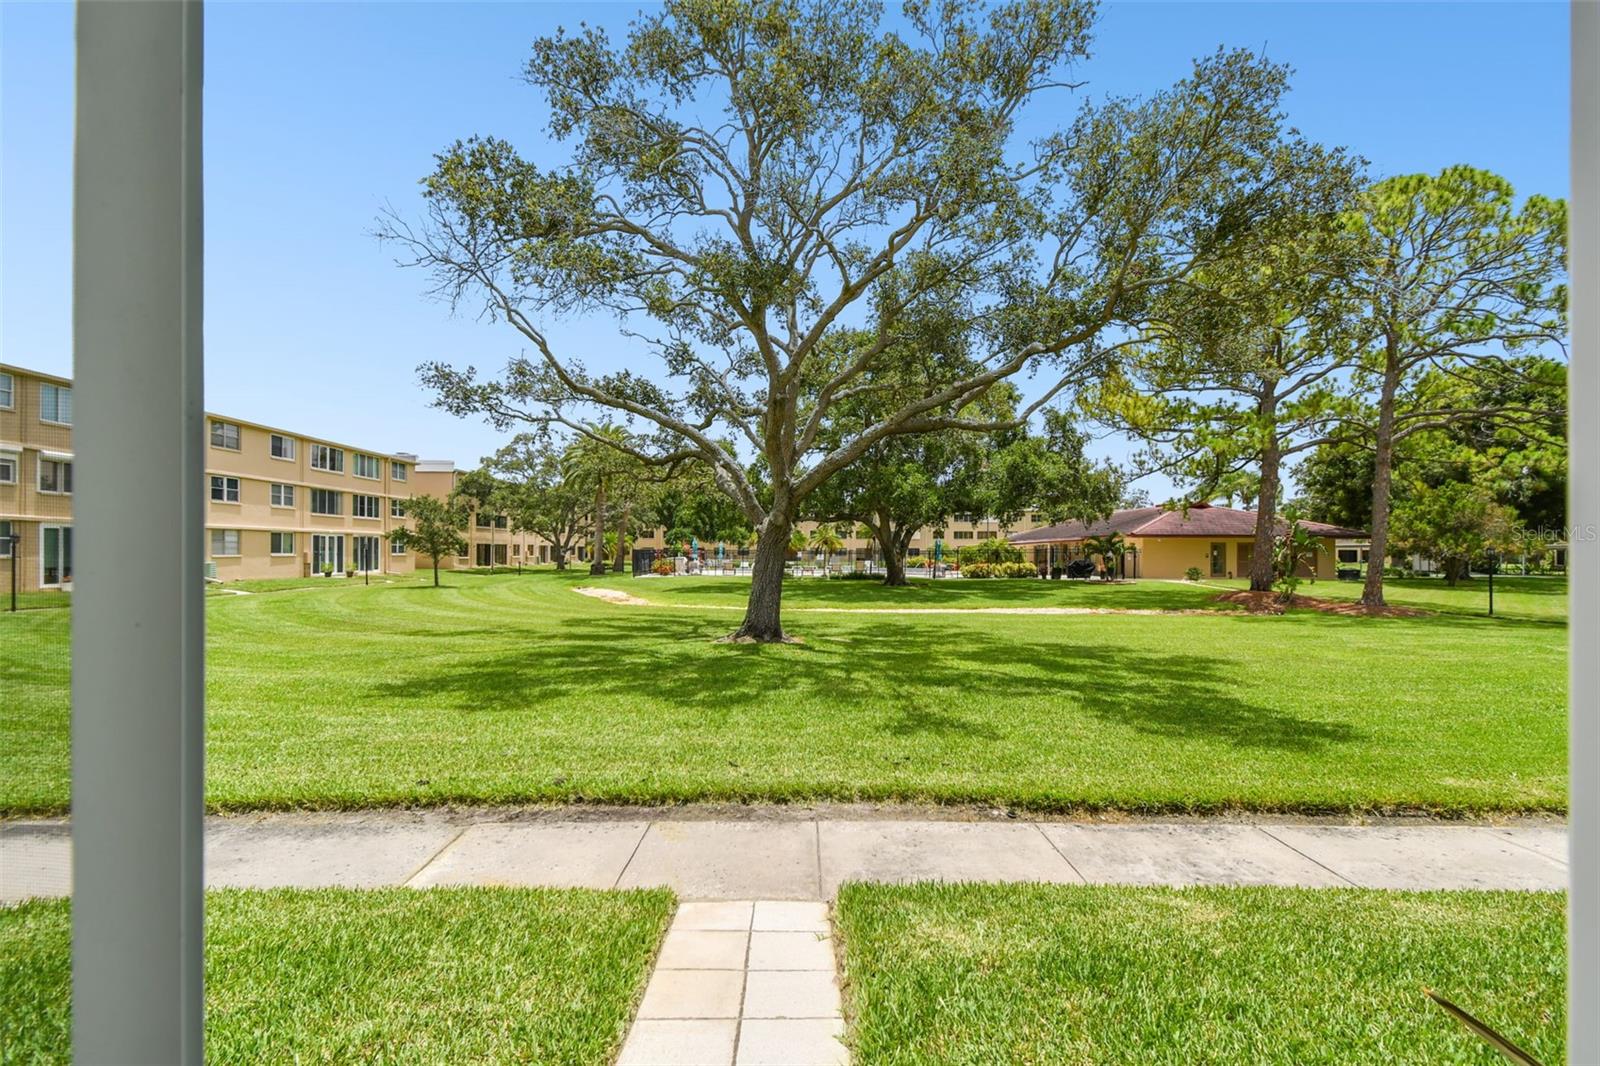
(742, 178)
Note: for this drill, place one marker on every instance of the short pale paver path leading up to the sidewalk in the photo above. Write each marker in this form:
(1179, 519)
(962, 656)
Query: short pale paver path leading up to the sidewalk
(743, 984)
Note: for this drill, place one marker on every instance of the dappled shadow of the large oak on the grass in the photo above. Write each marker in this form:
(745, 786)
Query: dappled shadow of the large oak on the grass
(974, 686)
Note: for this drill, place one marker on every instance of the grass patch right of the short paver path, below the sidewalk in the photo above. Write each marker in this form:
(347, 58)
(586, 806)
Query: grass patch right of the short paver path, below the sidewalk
(1044, 974)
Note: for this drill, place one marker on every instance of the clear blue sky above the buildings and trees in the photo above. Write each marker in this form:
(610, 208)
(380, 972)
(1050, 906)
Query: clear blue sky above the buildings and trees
(318, 116)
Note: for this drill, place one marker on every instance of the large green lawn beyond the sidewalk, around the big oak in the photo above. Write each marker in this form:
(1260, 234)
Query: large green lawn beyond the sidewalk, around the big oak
(516, 689)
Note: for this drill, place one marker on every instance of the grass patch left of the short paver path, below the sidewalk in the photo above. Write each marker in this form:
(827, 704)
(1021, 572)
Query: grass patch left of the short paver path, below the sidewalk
(446, 976)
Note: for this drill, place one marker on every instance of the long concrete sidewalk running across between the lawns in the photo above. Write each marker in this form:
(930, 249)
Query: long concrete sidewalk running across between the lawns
(788, 857)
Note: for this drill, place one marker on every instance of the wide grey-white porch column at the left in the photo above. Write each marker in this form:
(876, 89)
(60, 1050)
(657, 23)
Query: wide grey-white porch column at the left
(138, 615)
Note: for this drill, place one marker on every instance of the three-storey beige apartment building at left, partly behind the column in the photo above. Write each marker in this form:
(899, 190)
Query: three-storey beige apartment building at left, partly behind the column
(279, 503)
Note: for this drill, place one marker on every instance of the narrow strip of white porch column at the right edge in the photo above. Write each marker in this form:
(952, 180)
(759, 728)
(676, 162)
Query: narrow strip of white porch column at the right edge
(1583, 556)
